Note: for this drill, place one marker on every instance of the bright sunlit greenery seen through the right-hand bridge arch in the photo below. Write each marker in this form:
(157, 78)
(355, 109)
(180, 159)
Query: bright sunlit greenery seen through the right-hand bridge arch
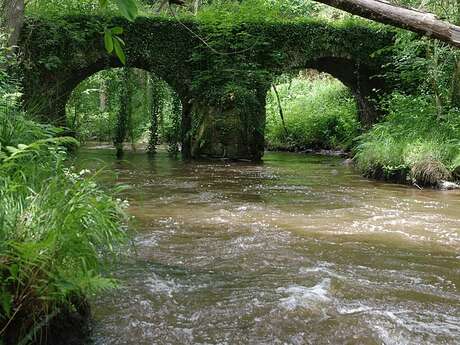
(319, 113)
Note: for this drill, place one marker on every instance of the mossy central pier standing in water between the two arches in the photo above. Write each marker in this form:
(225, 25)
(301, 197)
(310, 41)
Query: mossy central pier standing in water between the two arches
(232, 128)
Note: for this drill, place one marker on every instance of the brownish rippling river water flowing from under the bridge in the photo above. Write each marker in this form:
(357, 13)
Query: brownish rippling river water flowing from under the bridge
(297, 250)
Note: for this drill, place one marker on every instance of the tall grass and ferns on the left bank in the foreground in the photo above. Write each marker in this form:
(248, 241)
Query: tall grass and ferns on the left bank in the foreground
(58, 228)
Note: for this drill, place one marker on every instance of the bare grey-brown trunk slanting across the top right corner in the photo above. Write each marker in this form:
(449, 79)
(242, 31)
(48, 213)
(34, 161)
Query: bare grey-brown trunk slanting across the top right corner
(411, 19)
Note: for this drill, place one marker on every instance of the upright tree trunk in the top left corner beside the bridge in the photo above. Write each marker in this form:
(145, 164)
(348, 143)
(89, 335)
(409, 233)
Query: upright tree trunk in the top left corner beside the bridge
(12, 19)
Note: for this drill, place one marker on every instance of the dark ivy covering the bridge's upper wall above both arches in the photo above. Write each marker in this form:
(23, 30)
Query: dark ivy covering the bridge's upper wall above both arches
(59, 52)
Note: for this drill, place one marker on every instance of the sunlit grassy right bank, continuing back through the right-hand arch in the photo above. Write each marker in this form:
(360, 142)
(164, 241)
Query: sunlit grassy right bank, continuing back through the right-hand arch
(414, 143)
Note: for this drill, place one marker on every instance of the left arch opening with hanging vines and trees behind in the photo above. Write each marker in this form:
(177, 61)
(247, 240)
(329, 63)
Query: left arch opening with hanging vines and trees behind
(125, 107)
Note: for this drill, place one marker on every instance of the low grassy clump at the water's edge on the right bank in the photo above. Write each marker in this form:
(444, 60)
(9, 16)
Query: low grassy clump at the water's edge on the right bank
(413, 143)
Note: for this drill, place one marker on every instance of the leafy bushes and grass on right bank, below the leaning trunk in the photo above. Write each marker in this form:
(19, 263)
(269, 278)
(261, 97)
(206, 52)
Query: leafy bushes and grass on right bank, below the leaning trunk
(419, 139)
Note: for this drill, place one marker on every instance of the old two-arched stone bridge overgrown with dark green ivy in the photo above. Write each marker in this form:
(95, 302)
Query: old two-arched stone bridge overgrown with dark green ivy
(221, 72)
